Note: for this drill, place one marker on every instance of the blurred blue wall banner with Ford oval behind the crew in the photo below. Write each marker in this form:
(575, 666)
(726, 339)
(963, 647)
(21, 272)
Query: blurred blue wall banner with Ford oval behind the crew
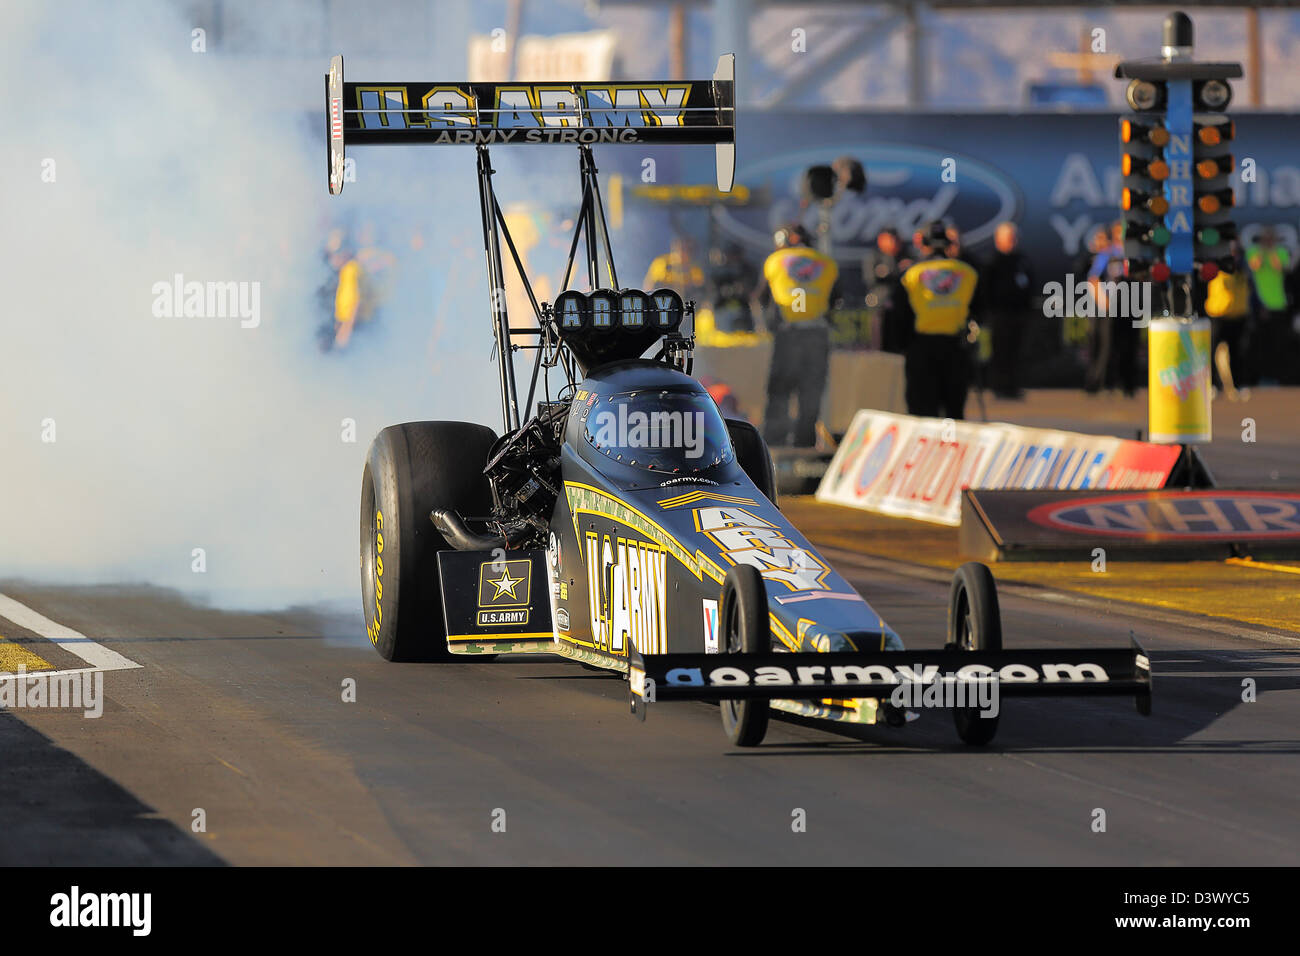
(1056, 175)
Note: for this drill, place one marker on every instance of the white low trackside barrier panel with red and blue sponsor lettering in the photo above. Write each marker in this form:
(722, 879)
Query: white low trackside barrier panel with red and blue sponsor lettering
(915, 468)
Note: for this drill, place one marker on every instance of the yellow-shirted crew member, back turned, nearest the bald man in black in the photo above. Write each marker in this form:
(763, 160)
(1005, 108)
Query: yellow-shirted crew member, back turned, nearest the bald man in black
(938, 299)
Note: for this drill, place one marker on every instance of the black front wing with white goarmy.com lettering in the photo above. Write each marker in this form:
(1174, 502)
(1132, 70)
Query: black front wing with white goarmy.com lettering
(660, 678)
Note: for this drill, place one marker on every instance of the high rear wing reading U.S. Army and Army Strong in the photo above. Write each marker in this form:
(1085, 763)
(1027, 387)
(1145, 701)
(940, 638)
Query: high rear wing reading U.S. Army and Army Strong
(463, 114)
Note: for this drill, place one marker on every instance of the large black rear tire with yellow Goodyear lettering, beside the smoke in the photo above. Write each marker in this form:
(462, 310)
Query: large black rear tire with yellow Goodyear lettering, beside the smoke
(411, 470)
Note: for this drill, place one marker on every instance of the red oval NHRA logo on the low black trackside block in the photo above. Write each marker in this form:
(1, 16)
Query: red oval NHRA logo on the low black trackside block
(1185, 516)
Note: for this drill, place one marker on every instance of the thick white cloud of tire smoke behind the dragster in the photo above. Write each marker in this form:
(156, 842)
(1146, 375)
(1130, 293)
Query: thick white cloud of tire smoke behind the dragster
(180, 434)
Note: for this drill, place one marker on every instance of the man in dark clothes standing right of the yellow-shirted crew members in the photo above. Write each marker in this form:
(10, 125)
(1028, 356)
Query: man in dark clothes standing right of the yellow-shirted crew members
(1007, 292)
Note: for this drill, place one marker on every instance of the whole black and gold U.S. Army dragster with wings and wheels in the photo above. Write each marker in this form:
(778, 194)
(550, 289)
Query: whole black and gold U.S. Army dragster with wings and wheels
(626, 524)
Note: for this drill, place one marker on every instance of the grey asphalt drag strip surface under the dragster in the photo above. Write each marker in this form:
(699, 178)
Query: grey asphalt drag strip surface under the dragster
(242, 716)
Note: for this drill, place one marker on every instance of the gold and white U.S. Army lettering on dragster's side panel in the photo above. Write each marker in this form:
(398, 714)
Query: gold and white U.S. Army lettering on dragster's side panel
(627, 587)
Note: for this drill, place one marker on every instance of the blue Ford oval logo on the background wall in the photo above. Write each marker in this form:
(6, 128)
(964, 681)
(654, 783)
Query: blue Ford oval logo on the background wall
(905, 192)
